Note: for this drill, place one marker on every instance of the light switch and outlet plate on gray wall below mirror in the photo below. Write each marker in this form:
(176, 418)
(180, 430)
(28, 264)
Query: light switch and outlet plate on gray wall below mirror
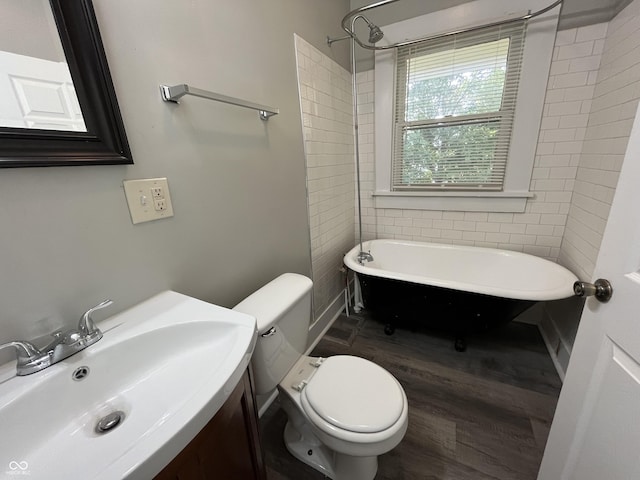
(149, 199)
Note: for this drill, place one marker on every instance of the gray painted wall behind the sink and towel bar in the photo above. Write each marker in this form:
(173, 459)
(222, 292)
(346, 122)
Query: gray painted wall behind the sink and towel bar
(237, 183)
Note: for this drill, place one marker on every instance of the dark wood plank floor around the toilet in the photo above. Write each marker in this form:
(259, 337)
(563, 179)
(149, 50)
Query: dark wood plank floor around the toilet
(481, 414)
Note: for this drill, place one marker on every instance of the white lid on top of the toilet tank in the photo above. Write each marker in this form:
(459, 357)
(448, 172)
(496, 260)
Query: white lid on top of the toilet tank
(274, 299)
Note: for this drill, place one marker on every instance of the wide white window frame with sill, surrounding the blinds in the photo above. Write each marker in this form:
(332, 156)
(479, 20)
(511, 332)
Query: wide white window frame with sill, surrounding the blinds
(536, 64)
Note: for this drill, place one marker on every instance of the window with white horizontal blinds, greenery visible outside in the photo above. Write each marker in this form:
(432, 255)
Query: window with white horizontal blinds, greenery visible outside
(454, 108)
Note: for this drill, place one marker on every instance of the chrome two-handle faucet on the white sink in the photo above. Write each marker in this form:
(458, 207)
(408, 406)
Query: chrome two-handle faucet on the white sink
(63, 345)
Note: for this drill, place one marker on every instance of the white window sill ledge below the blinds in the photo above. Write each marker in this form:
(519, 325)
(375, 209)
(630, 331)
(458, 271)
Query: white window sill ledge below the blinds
(507, 202)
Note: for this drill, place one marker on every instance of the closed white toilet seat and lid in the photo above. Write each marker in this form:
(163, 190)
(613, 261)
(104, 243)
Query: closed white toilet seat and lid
(354, 395)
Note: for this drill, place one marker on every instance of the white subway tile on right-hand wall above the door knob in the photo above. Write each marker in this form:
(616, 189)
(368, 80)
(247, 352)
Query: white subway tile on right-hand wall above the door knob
(613, 108)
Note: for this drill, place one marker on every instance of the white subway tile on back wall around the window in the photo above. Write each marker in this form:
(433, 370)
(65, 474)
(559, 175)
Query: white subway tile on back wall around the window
(540, 229)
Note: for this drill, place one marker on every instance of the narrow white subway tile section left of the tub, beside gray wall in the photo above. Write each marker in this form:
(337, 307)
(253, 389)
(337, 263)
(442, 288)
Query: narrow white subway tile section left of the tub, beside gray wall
(327, 117)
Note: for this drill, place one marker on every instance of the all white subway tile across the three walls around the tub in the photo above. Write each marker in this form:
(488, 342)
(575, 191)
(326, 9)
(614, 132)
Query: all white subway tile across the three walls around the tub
(591, 101)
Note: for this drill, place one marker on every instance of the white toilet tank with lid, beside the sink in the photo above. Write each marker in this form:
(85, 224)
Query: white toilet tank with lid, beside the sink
(282, 309)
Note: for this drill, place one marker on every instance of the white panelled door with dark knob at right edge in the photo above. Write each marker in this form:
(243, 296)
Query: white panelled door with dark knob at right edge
(595, 433)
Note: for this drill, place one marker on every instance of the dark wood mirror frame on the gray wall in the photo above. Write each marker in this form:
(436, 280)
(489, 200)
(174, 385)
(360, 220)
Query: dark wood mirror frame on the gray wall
(105, 142)
